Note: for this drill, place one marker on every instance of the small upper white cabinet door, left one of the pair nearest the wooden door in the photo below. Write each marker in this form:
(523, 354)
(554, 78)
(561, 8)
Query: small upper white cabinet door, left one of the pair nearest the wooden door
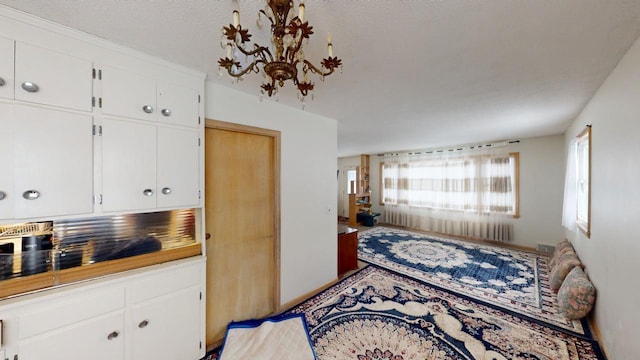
(128, 94)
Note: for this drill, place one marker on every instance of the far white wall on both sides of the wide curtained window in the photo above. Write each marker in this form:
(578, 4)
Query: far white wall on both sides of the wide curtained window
(541, 190)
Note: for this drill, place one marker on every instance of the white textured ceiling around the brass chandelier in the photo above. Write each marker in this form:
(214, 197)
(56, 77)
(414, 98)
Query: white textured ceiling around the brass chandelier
(417, 73)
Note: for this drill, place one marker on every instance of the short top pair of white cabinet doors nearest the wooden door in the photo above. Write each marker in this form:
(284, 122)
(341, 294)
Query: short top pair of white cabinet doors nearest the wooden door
(132, 95)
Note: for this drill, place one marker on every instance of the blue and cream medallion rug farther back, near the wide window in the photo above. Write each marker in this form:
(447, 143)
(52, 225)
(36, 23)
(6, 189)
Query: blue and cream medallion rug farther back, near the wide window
(512, 279)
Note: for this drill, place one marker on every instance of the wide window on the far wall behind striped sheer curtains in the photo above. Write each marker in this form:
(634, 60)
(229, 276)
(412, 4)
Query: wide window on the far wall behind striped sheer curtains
(475, 183)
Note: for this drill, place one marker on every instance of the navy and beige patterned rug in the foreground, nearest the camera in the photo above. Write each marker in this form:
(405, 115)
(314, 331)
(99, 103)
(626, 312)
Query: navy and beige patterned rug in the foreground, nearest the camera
(378, 314)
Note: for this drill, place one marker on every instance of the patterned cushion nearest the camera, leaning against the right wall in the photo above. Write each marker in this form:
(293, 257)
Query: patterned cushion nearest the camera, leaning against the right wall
(576, 295)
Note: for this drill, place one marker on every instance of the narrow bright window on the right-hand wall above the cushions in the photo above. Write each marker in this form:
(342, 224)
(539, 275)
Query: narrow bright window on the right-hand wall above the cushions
(583, 180)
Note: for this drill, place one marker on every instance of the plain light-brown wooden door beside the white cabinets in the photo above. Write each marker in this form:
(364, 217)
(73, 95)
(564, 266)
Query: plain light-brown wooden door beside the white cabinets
(242, 219)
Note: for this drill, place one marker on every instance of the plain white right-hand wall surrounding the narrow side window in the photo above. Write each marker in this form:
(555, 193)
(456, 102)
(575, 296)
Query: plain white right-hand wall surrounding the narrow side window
(612, 253)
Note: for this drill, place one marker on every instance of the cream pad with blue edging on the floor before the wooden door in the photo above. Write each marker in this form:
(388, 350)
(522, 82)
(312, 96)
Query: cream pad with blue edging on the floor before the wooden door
(282, 337)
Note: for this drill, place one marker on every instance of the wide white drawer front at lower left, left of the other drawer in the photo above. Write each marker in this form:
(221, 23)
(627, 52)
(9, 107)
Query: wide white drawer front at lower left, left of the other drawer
(47, 315)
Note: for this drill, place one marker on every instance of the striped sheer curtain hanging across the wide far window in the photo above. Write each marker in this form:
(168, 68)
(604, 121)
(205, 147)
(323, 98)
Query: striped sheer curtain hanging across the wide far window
(461, 193)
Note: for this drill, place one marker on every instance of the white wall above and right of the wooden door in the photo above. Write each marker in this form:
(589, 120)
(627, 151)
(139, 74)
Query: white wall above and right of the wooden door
(308, 184)
